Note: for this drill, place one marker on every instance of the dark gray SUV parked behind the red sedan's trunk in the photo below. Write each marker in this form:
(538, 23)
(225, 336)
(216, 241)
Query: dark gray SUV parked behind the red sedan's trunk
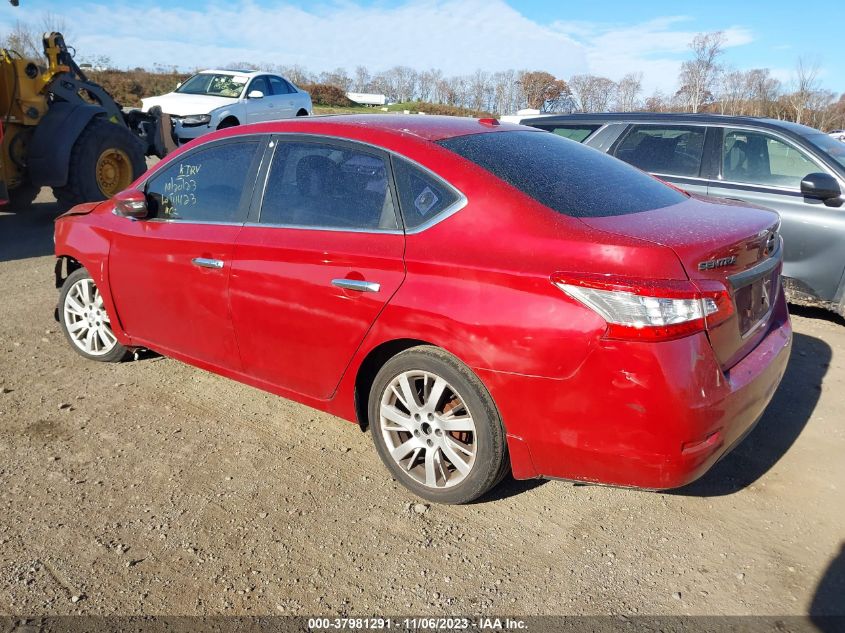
(796, 170)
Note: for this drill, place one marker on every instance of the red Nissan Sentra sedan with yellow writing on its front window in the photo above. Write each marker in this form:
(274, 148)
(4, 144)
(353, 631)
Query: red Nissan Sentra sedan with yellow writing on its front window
(483, 297)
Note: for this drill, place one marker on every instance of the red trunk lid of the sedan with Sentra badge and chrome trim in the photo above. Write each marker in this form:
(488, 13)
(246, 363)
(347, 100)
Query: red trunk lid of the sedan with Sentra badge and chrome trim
(719, 243)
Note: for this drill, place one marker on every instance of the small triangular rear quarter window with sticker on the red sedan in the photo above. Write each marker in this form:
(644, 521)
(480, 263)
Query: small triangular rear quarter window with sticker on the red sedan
(422, 196)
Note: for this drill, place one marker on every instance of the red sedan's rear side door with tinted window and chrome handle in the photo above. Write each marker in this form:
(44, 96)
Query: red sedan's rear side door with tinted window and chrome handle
(321, 257)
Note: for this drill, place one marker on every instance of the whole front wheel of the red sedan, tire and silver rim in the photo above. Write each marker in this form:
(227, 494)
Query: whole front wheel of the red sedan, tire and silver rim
(85, 322)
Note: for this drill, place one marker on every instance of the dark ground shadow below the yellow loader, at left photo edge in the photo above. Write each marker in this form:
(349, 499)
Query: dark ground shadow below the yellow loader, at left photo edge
(26, 230)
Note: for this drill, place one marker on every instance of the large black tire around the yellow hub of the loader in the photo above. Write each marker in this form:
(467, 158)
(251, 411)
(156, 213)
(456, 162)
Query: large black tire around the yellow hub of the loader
(99, 137)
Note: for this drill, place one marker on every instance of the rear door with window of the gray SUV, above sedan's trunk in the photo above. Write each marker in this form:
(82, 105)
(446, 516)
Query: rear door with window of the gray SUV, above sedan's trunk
(674, 153)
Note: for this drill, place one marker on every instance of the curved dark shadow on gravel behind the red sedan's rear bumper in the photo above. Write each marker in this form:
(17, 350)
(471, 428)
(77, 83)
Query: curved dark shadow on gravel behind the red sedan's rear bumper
(790, 410)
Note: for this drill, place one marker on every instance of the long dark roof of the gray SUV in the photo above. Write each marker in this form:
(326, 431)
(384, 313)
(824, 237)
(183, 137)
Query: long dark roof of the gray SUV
(677, 118)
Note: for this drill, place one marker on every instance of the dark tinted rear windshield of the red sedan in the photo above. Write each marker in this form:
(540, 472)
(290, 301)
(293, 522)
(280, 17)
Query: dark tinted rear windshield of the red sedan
(563, 175)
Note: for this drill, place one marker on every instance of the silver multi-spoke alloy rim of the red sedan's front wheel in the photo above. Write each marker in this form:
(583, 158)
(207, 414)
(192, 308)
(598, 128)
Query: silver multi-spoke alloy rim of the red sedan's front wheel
(86, 319)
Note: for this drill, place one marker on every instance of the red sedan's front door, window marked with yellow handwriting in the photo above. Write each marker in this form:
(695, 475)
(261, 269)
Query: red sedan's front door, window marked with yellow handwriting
(169, 273)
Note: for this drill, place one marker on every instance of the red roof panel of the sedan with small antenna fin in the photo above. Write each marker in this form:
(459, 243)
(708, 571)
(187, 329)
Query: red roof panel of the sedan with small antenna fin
(426, 127)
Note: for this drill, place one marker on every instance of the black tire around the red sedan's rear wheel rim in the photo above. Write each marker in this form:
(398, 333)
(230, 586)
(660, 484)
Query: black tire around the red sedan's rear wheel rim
(490, 463)
